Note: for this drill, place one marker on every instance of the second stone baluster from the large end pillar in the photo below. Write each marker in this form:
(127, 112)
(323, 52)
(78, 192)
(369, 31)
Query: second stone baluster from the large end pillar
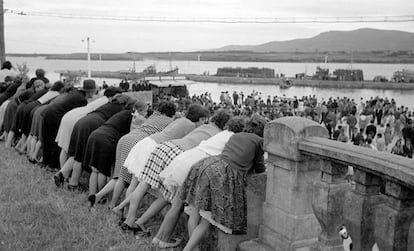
(359, 208)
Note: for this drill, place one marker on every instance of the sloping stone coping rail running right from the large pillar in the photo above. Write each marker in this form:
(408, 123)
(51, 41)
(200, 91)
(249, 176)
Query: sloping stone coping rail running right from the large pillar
(397, 168)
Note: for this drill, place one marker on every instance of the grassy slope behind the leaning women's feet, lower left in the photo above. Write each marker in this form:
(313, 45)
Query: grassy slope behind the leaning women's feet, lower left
(36, 215)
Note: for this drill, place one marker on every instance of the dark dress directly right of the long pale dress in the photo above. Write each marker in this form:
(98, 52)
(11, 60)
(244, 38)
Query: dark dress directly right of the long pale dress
(86, 125)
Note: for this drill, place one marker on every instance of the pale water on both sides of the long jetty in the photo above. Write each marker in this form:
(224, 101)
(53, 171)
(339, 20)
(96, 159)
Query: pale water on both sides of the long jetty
(195, 67)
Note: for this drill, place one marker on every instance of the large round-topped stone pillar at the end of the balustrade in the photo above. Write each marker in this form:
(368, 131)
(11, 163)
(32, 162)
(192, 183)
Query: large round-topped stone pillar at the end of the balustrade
(288, 219)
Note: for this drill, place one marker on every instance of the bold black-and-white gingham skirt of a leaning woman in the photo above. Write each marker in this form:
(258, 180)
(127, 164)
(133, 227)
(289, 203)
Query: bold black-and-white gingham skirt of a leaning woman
(159, 159)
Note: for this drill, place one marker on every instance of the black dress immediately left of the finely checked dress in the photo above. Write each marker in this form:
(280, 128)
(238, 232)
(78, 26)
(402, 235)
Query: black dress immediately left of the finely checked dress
(101, 148)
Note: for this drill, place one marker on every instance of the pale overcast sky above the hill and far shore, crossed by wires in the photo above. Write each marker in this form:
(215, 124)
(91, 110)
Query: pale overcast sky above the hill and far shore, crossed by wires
(49, 34)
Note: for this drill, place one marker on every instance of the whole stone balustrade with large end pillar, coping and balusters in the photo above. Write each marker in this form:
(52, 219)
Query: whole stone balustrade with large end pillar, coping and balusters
(308, 197)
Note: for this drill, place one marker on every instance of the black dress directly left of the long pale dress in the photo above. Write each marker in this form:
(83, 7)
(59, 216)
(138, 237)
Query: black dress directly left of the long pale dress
(50, 125)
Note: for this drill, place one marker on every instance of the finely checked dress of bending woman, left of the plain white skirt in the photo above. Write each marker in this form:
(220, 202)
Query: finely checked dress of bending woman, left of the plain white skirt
(155, 123)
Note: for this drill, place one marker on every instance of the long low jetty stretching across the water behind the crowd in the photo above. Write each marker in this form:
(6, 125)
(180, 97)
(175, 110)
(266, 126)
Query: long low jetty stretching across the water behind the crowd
(302, 82)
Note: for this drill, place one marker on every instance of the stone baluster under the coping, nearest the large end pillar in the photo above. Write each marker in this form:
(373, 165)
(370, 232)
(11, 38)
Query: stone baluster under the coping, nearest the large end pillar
(328, 200)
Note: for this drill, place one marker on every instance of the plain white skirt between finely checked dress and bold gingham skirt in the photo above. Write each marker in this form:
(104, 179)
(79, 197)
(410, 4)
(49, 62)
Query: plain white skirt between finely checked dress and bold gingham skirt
(139, 154)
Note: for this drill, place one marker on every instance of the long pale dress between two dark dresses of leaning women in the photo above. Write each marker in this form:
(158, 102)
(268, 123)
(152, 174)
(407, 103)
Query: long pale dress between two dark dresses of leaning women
(70, 118)
